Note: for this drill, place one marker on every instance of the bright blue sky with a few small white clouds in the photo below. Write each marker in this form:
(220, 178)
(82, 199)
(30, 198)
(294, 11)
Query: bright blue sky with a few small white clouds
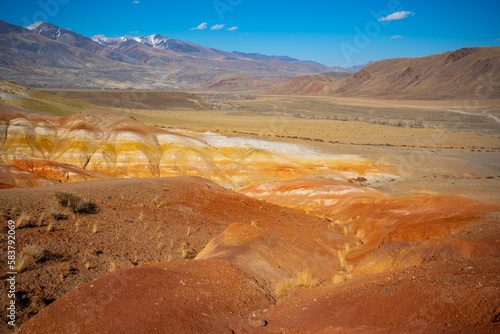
(335, 33)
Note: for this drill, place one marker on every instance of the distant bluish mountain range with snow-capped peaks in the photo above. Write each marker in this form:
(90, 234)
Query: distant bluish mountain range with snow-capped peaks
(44, 55)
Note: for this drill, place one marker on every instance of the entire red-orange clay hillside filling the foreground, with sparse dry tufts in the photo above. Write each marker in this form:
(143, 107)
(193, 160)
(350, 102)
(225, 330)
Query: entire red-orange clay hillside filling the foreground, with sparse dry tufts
(374, 263)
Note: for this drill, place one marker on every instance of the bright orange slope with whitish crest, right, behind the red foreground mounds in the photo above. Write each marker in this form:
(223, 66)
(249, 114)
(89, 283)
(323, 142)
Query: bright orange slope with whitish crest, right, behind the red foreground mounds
(390, 232)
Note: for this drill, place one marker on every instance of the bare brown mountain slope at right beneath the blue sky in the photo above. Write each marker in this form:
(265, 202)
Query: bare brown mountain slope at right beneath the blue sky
(465, 73)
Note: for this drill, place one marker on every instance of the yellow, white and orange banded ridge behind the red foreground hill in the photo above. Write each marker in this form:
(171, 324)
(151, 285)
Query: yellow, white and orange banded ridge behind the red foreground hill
(119, 146)
